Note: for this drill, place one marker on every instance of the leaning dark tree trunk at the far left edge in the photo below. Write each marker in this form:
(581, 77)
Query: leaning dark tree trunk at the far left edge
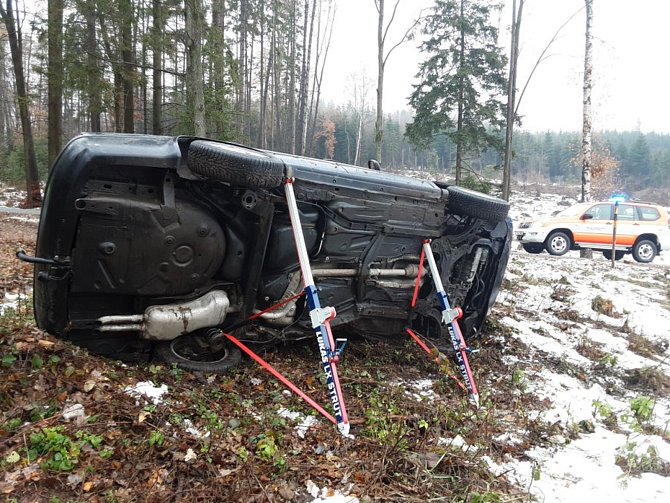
(33, 194)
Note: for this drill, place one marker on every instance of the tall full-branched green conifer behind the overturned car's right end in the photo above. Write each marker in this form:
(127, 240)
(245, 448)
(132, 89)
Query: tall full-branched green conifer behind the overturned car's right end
(461, 80)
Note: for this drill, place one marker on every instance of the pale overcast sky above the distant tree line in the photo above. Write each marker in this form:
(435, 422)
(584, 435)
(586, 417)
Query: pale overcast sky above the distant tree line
(631, 70)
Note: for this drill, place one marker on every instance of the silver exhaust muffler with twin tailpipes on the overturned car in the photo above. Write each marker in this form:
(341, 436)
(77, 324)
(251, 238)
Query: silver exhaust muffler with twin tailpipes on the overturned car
(169, 321)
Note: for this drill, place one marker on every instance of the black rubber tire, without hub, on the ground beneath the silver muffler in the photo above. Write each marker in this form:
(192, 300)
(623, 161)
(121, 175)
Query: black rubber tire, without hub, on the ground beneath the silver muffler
(178, 352)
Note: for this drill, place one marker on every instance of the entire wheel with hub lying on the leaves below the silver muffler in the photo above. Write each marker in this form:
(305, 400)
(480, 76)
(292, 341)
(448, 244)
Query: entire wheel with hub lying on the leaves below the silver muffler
(199, 351)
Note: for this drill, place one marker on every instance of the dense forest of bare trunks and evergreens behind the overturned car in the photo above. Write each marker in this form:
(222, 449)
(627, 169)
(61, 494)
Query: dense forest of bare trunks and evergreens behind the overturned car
(251, 71)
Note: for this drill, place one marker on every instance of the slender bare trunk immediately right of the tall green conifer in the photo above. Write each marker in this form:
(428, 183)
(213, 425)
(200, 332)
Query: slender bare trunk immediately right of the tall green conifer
(511, 98)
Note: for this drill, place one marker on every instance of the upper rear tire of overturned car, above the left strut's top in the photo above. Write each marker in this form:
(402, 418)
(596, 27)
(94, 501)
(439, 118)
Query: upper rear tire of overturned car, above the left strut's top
(235, 164)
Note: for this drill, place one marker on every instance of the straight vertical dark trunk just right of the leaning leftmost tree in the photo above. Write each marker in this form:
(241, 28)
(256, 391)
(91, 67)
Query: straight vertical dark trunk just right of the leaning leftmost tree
(55, 83)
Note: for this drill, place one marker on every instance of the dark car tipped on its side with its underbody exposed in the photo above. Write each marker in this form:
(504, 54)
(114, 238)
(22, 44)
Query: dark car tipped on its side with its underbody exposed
(149, 247)
